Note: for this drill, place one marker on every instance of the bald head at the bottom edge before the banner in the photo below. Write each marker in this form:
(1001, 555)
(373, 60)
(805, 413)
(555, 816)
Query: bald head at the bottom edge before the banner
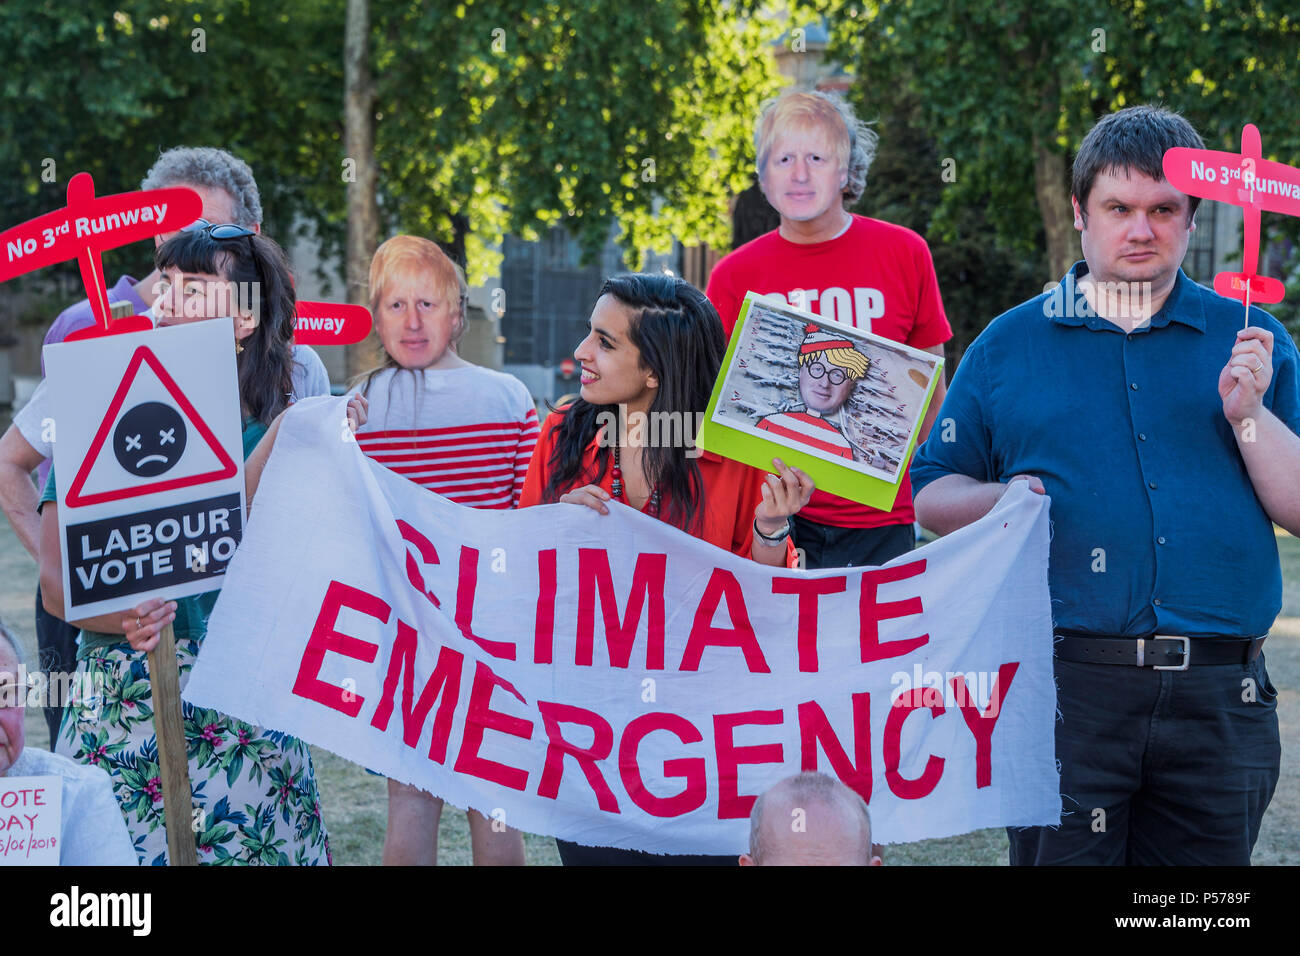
(811, 820)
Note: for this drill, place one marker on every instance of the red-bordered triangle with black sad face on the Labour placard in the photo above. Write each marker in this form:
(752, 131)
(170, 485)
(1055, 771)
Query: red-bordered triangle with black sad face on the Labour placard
(151, 440)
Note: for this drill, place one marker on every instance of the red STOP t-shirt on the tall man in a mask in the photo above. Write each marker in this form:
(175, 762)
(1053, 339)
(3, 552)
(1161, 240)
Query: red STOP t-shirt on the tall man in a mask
(878, 278)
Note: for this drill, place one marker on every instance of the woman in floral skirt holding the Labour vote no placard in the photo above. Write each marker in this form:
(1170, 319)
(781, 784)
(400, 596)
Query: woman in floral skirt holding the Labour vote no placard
(255, 788)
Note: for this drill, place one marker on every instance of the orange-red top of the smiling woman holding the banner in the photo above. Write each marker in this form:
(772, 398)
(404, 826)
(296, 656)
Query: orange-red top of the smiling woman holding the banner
(731, 492)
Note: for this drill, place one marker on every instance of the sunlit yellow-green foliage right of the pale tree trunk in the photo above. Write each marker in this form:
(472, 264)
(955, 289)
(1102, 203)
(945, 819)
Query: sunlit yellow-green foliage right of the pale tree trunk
(577, 113)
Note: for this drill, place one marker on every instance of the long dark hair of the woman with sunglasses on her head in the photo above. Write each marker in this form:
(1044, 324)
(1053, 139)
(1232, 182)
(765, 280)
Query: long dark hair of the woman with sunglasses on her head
(253, 263)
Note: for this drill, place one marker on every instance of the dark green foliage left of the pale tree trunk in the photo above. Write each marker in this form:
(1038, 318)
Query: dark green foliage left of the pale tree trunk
(105, 86)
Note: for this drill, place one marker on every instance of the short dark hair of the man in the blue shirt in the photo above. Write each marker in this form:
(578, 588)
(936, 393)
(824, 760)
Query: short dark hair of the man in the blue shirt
(1132, 140)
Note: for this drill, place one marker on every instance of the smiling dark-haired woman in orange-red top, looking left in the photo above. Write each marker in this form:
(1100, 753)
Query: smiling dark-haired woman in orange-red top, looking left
(656, 347)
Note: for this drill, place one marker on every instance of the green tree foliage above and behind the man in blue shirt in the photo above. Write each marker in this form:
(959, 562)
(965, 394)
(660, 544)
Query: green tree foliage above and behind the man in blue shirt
(1008, 90)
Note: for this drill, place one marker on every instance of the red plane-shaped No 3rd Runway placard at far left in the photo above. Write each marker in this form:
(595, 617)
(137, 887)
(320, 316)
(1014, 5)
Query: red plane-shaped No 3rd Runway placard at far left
(89, 226)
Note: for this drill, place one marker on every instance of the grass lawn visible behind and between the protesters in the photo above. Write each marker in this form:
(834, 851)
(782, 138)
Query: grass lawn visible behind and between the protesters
(356, 803)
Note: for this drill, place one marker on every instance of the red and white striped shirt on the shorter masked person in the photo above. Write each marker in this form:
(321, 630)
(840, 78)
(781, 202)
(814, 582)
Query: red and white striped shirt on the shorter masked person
(466, 434)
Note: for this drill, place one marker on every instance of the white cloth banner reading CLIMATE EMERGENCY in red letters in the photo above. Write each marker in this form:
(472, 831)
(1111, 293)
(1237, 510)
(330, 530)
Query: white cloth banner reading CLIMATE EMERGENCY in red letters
(612, 681)
